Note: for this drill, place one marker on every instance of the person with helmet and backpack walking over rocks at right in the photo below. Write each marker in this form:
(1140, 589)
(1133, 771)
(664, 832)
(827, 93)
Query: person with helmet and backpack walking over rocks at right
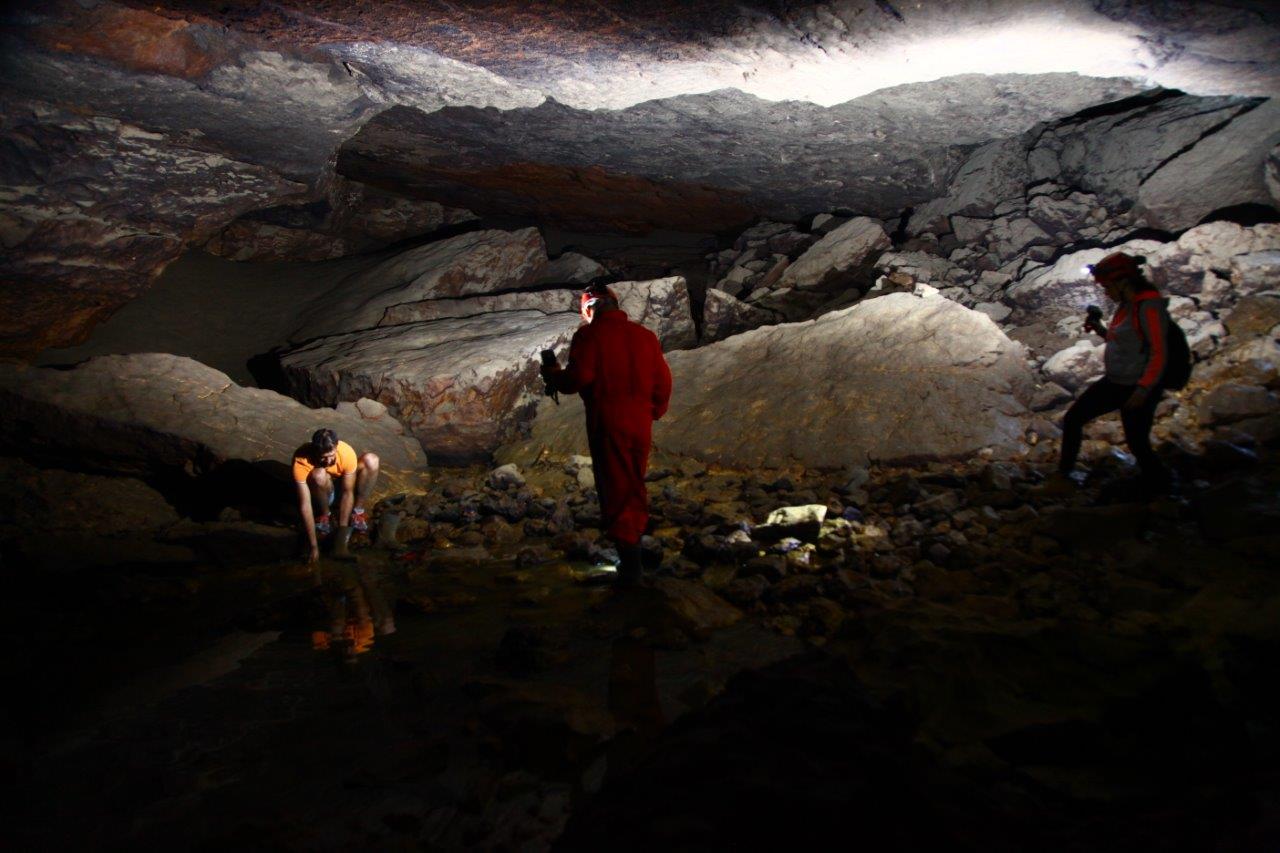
(1136, 359)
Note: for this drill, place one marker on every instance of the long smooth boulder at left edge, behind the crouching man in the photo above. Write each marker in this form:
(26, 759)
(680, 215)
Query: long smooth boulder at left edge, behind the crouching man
(161, 414)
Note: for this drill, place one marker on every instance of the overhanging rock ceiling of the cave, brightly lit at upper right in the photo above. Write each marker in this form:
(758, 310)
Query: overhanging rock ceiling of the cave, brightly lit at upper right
(601, 116)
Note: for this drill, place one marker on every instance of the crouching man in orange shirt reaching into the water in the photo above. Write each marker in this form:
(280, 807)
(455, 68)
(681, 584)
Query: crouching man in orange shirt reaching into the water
(316, 468)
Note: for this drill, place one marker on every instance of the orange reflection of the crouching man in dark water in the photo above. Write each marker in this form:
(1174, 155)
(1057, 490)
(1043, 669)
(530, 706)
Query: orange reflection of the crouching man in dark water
(358, 609)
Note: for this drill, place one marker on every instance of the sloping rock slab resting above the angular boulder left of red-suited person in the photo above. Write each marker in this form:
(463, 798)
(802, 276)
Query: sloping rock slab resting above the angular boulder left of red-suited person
(481, 262)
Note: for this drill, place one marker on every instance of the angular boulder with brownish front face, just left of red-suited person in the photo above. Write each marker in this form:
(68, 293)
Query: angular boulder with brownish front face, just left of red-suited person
(460, 385)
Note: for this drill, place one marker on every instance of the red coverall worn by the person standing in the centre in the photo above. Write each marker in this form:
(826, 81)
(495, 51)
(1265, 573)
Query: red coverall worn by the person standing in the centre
(625, 382)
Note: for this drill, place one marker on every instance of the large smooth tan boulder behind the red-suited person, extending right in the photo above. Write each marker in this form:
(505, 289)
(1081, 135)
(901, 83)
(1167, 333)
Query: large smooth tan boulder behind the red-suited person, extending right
(893, 378)
